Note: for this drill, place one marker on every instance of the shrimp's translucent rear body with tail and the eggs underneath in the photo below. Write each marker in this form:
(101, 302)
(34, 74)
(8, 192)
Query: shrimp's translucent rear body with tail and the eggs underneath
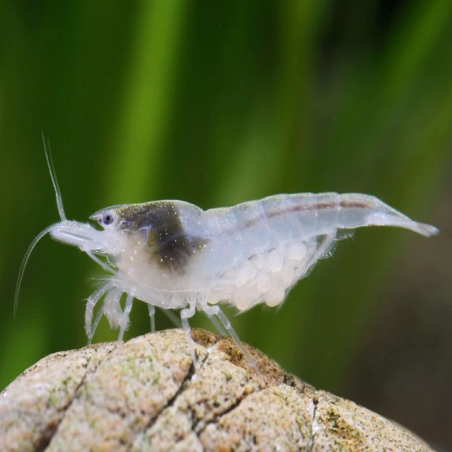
(264, 247)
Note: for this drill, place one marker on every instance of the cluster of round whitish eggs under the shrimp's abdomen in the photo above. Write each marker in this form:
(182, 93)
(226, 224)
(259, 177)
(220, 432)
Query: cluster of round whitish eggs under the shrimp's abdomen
(264, 277)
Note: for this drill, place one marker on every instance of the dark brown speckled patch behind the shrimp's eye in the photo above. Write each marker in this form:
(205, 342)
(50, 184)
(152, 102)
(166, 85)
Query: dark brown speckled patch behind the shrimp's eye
(169, 244)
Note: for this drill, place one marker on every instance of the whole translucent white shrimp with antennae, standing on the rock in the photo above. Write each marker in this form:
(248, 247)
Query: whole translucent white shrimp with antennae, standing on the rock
(174, 255)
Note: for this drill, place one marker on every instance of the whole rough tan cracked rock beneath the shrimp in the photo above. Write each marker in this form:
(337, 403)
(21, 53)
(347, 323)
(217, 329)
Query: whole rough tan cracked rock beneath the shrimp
(146, 396)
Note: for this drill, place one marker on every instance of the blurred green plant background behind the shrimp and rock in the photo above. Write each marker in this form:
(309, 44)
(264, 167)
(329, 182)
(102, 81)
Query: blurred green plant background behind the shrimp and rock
(216, 103)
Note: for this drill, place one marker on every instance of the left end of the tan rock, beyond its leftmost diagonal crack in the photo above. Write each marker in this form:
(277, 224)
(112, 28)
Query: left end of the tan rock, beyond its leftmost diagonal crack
(33, 405)
